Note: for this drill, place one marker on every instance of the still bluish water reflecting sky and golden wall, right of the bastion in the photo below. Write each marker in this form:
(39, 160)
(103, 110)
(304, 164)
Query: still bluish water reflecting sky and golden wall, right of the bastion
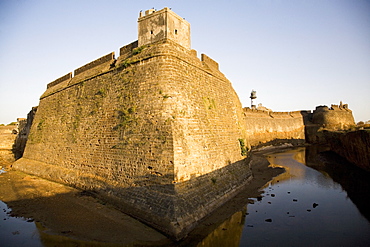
(304, 207)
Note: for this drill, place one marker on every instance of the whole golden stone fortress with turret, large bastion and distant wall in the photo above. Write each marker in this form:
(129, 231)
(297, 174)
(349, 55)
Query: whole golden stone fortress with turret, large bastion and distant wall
(158, 132)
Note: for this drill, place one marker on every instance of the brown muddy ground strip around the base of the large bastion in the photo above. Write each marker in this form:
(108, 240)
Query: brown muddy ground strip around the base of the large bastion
(68, 215)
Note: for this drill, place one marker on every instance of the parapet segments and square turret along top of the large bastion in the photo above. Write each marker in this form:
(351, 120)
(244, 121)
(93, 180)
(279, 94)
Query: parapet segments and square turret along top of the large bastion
(153, 27)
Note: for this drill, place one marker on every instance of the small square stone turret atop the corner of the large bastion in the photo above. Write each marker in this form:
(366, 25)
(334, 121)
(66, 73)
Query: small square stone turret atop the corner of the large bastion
(155, 25)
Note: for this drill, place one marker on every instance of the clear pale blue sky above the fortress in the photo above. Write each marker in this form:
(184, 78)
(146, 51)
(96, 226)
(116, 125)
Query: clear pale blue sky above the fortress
(296, 54)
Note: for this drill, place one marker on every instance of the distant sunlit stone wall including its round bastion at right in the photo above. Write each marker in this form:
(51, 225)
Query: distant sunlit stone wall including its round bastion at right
(263, 126)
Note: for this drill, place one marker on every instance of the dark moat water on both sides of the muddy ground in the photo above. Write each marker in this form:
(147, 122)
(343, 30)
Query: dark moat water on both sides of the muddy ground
(318, 201)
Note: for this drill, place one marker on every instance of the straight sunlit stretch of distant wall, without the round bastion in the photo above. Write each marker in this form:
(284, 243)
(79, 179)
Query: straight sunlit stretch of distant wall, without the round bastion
(265, 126)
